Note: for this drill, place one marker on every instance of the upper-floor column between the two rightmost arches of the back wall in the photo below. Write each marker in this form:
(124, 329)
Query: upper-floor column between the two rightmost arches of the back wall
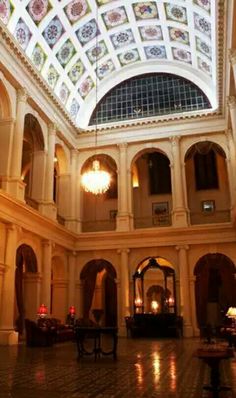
(179, 211)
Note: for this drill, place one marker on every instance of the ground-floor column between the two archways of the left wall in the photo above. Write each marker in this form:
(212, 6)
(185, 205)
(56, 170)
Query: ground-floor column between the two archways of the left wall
(45, 296)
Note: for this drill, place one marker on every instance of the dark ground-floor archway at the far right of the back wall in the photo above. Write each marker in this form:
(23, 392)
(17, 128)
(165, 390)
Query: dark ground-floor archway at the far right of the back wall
(215, 288)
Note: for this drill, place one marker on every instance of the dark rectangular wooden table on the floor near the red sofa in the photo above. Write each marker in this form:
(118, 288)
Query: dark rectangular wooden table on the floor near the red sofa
(83, 334)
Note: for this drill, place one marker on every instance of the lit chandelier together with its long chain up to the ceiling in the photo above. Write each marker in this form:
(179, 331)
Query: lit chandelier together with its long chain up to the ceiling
(95, 180)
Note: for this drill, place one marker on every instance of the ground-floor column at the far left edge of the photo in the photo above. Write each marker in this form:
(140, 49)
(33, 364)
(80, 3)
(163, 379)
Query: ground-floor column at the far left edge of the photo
(7, 334)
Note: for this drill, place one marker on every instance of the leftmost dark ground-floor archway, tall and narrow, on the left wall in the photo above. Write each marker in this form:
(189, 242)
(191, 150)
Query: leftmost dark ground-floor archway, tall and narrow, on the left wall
(25, 286)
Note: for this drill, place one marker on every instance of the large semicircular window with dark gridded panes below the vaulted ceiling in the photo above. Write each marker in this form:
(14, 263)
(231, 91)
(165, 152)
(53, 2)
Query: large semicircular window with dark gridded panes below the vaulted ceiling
(149, 95)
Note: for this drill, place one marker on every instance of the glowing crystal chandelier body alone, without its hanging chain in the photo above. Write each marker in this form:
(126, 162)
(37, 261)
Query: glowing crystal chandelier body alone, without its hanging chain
(95, 180)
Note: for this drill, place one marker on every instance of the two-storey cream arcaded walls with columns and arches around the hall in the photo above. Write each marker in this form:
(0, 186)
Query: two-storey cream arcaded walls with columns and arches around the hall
(172, 198)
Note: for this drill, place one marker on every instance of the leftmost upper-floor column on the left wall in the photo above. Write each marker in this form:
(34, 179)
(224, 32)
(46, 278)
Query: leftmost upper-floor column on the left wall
(16, 186)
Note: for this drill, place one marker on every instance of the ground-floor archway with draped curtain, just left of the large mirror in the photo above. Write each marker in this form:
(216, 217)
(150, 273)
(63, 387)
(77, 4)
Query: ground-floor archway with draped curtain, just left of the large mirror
(100, 291)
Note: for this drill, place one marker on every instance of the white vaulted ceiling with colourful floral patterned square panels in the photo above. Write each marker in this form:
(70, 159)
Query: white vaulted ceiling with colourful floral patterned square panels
(76, 44)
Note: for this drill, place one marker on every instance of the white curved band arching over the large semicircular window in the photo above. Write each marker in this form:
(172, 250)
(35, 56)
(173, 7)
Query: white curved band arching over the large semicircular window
(196, 77)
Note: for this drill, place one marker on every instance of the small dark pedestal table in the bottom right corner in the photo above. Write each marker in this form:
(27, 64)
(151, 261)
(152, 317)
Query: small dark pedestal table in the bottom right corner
(212, 356)
